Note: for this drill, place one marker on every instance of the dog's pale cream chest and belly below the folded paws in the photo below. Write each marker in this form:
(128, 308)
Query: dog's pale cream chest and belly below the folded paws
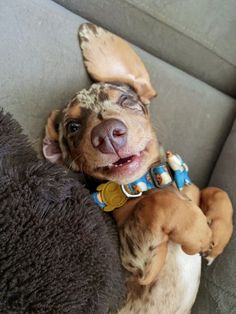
(174, 291)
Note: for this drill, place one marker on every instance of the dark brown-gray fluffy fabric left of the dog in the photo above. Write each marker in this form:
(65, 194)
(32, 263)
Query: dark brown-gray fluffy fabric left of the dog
(58, 252)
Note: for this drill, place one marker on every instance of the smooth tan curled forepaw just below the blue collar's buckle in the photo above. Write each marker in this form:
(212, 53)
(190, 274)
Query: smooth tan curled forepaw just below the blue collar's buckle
(180, 220)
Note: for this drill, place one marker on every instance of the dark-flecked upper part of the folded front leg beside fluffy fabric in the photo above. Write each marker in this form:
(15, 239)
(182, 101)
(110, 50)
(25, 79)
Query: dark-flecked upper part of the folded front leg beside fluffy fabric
(142, 253)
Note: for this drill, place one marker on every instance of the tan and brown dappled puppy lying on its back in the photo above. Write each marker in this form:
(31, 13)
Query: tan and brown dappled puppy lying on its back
(106, 133)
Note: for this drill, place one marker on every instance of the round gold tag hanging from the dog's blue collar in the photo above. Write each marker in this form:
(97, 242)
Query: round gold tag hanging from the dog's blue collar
(112, 195)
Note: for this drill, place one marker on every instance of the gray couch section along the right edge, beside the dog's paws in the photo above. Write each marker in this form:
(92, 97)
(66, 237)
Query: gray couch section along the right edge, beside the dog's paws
(217, 292)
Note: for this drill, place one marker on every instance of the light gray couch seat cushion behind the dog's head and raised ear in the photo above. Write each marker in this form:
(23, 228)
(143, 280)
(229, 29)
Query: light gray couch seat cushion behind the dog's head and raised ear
(41, 68)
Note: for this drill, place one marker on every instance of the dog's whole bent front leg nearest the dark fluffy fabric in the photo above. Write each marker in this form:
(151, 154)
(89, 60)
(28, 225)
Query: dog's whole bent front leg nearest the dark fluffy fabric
(146, 228)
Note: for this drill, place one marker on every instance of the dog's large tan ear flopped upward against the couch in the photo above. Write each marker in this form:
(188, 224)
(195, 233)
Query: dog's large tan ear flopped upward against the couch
(109, 58)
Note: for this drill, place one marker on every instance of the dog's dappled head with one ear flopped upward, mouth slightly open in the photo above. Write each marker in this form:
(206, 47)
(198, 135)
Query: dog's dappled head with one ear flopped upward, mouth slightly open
(105, 131)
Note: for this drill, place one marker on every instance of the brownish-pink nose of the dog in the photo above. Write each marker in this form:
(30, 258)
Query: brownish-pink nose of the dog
(109, 136)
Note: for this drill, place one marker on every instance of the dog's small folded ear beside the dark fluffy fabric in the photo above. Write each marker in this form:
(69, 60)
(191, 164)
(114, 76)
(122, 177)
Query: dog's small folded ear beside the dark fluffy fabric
(51, 147)
